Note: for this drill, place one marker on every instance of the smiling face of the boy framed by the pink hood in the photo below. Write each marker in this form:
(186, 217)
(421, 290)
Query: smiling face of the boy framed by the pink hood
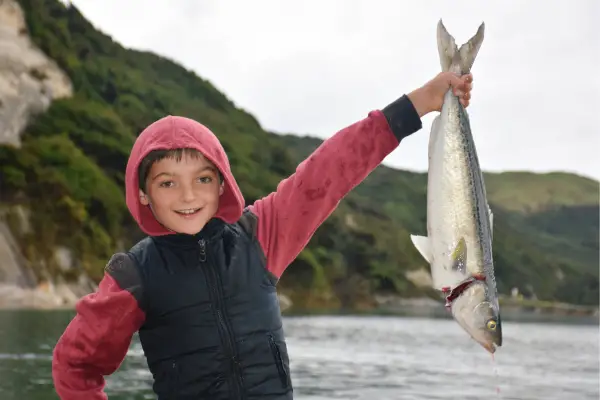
(184, 195)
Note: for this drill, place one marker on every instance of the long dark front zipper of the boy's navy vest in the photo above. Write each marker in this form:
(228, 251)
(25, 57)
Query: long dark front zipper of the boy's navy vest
(224, 329)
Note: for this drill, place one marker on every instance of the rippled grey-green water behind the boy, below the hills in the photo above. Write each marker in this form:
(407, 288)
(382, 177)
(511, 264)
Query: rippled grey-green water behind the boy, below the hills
(352, 358)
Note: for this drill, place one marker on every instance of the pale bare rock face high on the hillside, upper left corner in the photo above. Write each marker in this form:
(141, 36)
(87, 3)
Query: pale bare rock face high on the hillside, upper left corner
(29, 80)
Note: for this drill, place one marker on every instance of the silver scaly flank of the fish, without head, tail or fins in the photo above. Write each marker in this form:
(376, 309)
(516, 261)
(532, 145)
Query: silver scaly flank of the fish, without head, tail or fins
(460, 202)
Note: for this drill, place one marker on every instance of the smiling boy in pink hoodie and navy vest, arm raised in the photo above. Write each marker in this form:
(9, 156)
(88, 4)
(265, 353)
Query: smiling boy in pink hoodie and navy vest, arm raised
(201, 288)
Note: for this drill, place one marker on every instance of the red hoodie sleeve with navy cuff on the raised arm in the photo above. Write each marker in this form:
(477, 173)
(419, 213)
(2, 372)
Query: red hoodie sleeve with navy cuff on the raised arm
(288, 217)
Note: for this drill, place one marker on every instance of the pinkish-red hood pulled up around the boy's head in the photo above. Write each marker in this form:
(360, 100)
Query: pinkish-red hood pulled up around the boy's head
(169, 133)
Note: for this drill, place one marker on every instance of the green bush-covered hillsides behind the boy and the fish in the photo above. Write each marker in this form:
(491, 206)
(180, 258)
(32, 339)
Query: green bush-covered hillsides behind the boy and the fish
(68, 175)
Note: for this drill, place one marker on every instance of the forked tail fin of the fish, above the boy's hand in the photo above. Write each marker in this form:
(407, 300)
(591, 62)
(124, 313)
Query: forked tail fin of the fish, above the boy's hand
(451, 57)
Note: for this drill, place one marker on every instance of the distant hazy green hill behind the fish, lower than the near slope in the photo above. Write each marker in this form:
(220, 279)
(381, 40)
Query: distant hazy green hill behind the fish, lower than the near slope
(546, 225)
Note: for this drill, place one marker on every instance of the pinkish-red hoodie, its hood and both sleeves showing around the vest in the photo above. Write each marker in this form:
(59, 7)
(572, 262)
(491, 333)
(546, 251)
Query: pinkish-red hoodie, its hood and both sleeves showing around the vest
(96, 341)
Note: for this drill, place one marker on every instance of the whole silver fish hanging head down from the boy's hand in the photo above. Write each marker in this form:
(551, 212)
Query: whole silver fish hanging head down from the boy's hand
(458, 245)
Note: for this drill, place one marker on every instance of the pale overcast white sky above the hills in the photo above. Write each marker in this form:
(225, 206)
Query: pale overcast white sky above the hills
(314, 66)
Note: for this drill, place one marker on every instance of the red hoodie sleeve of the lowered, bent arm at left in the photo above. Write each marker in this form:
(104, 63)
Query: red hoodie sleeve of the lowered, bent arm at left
(96, 341)
